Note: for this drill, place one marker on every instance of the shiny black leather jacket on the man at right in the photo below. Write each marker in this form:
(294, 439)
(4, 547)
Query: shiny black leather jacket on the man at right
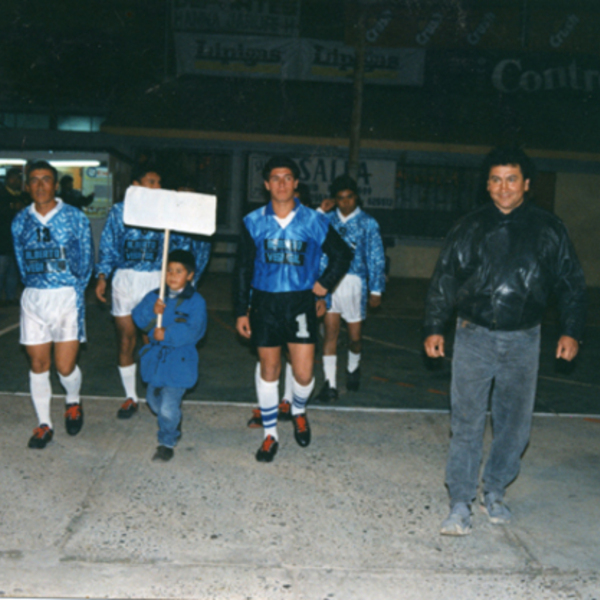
(498, 270)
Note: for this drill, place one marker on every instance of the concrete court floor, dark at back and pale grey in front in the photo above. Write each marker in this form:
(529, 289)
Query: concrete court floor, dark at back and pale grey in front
(355, 515)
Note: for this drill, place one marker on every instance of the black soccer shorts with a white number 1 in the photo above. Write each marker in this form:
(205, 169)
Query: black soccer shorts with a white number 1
(282, 318)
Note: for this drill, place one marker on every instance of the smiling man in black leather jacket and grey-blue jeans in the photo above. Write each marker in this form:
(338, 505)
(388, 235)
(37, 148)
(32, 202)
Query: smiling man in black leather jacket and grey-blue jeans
(497, 268)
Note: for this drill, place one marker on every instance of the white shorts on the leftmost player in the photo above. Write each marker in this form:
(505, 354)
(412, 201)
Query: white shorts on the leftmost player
(48, 316)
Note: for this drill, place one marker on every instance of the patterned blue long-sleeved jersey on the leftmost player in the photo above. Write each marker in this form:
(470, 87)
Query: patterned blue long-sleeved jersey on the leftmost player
(55, 253)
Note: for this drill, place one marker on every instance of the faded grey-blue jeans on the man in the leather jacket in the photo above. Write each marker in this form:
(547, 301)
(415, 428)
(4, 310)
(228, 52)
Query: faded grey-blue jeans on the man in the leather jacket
(510, 359)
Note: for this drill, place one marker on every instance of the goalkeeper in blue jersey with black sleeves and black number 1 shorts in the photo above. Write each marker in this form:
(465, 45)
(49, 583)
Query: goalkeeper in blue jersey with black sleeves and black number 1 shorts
(278, 286)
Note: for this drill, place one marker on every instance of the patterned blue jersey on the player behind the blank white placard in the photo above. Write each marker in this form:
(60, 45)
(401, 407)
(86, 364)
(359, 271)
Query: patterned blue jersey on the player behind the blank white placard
(124, 247)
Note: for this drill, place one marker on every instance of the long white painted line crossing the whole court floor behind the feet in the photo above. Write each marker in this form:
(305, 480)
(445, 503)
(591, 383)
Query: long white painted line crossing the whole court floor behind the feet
(359, 409)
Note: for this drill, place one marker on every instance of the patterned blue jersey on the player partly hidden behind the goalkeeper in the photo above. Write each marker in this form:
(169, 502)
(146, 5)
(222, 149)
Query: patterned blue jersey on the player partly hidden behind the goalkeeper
(361, 233)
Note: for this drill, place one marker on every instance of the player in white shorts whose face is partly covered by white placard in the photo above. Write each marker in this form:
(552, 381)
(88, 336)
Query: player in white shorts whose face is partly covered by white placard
(134, 256)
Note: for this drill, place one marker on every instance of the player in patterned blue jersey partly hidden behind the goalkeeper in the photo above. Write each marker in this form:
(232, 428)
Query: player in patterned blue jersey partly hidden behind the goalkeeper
(365, 280)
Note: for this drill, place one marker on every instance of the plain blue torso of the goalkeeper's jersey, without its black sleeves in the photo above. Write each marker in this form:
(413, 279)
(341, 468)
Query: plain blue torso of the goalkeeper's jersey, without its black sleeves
(287, 258)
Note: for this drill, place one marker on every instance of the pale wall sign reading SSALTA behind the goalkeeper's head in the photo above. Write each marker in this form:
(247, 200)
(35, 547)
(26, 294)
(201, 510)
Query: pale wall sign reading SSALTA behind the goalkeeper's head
(376, 179)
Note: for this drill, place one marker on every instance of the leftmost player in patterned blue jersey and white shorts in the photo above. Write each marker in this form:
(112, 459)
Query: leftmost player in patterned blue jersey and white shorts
(53, 248)
